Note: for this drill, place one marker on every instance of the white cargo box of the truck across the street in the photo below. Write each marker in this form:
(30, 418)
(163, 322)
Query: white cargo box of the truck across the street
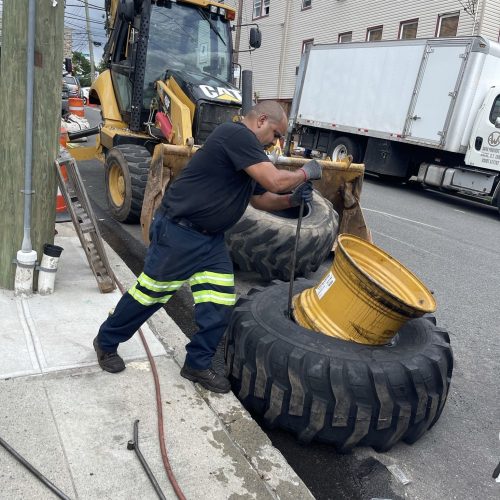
(424, 92)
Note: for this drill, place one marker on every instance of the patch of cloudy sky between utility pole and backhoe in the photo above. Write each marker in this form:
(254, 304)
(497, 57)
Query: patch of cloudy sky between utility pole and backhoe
(74, 18)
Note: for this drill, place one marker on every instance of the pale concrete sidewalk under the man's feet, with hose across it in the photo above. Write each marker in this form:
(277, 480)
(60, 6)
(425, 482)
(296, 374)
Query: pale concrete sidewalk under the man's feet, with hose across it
(72, 421)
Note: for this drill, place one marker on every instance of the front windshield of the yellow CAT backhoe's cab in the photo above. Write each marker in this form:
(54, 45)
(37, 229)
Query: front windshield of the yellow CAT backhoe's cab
(186, 38)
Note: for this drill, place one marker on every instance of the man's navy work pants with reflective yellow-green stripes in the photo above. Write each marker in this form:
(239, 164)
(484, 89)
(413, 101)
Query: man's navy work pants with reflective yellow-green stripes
(178, 254)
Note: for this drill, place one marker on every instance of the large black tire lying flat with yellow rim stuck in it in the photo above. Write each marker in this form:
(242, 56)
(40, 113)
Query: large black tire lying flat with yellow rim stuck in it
(330, 390)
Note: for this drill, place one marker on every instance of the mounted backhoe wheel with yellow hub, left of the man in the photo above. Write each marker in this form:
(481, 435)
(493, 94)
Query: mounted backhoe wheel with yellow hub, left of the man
(126, 175)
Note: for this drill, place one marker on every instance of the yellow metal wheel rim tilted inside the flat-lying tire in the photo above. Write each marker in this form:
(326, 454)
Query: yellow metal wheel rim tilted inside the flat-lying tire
(365, 297)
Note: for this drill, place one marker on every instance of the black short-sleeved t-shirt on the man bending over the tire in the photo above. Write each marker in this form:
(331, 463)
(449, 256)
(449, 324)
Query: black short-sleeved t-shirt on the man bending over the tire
(213, 190)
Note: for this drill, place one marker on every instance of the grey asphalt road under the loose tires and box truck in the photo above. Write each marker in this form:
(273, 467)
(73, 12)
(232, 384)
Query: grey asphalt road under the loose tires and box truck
(453, 245)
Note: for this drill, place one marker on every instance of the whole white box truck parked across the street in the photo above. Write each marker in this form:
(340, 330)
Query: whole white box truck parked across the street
(429, 108)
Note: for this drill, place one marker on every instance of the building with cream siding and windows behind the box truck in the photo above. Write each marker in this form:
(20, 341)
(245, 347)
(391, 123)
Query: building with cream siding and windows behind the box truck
(289, 26)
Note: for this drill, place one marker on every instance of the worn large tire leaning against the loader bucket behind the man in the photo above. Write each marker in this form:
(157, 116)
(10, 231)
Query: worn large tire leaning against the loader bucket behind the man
(264, 241)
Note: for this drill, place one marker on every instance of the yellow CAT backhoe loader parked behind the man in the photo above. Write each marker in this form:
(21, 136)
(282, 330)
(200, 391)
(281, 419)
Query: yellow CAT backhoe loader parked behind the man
(167, 86)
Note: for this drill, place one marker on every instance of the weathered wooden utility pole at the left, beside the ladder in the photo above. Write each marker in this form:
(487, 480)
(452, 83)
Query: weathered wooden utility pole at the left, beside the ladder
(46, 123)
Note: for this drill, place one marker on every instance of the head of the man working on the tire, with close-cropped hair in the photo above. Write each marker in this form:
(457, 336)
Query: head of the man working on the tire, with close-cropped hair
(268, 121)
